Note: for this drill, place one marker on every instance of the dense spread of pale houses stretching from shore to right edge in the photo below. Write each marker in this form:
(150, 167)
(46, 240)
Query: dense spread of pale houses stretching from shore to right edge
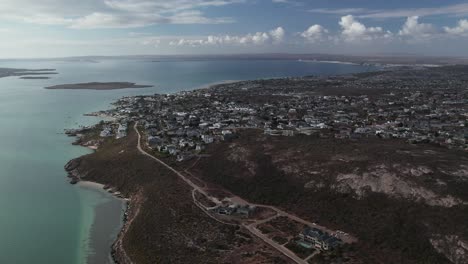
(183, 124)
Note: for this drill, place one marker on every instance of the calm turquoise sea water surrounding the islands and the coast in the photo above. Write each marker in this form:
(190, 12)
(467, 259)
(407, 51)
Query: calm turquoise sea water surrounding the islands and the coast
(43, 219)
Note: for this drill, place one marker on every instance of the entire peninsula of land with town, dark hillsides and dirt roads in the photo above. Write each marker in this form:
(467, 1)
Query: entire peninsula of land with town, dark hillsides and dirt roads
(364, 168)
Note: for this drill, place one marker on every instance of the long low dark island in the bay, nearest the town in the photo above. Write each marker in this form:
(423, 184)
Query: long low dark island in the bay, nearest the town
(97, 86)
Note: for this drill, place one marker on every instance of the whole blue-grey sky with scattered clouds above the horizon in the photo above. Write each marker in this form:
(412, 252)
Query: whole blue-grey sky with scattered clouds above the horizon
(60, 28)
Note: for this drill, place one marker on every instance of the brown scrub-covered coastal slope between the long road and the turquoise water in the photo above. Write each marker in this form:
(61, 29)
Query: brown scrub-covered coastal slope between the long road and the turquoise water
(163, 225)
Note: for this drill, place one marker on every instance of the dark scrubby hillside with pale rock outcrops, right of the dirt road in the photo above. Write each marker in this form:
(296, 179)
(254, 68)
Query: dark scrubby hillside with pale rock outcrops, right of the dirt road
(405, 203)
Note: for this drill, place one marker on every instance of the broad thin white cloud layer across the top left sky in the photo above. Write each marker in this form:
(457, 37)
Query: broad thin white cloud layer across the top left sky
(113, 13)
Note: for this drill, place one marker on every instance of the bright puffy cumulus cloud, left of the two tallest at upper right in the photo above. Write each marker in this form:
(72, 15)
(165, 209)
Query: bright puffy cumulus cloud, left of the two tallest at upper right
(355, 31)
